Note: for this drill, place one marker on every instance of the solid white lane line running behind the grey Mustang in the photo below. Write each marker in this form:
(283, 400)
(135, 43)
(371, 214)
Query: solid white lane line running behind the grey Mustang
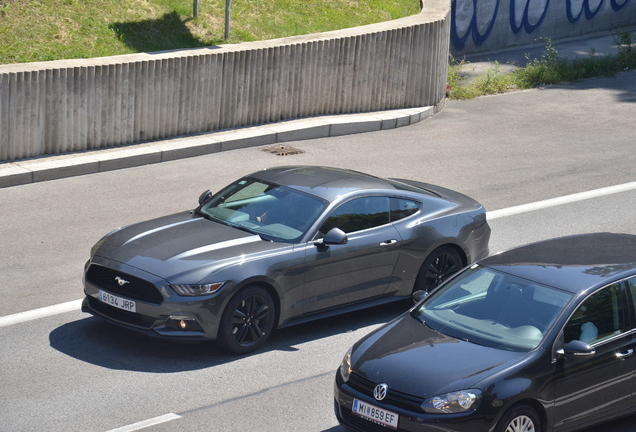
(491, 215)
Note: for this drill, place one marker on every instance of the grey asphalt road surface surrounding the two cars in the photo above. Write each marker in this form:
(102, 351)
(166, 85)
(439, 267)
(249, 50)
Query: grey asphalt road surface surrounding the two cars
(71, 372)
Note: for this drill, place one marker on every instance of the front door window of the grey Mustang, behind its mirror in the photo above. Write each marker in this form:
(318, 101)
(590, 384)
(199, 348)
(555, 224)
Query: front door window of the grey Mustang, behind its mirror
(358, 214)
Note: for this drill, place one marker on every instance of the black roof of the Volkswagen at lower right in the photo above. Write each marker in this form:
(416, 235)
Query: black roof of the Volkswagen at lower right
(574, 263)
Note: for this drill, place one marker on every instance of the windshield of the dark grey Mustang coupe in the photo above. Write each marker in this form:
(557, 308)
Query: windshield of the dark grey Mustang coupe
(272, 211)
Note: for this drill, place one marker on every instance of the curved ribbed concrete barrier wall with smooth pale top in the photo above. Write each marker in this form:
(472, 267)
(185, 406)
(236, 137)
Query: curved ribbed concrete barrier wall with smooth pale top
(73, 105)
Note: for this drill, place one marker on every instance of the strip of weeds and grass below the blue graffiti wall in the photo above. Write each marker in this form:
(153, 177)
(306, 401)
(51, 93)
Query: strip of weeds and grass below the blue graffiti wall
(549, 69)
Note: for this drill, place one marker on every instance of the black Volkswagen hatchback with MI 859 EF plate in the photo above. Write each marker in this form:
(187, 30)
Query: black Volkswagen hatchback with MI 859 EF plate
(537, 338)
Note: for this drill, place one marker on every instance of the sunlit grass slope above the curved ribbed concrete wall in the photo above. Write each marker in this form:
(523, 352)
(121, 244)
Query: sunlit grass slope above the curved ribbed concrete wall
(41, 30)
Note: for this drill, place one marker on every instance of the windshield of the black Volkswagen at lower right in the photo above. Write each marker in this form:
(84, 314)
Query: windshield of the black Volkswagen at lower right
(493, 309)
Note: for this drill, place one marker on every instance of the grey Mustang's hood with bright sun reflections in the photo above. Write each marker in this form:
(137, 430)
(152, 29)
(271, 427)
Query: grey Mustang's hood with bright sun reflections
(179, 244)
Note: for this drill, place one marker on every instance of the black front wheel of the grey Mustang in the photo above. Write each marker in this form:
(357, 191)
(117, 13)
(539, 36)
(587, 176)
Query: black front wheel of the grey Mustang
(247, 321)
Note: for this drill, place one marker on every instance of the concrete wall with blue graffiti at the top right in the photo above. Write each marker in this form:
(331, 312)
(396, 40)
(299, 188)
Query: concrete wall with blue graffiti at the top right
(489, 25)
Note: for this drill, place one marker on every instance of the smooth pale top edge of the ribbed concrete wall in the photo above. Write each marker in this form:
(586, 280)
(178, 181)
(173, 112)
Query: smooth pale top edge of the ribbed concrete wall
(432, 11)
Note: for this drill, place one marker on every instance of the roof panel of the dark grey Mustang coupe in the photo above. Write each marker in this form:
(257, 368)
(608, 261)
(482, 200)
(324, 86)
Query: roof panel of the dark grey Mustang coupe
(324, 182)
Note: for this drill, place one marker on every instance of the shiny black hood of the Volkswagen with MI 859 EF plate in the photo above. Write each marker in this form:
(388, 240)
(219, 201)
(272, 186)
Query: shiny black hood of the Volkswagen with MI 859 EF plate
(412, 358)
